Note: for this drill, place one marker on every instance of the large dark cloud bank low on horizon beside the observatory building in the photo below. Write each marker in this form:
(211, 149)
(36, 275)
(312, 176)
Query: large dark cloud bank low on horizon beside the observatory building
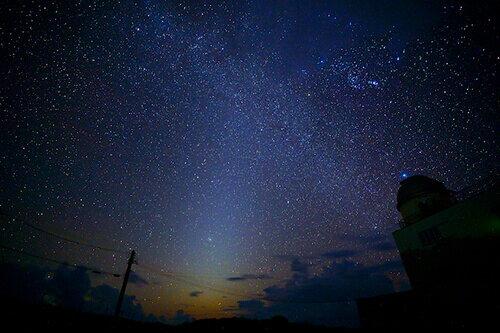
(326, 298)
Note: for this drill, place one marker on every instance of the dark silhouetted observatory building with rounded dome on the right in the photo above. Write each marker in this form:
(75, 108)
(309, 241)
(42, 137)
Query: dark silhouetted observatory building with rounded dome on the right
(449, 243)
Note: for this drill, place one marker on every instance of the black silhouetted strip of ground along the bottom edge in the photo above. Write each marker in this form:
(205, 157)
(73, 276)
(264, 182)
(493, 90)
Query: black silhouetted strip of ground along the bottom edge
(50, 318)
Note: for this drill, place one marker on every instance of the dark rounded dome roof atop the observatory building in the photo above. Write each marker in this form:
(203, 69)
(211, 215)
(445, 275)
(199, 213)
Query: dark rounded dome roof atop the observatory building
(415, 186)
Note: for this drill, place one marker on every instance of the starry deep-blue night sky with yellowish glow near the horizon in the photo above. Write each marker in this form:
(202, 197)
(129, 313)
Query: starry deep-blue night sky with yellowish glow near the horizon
(249, 150)
